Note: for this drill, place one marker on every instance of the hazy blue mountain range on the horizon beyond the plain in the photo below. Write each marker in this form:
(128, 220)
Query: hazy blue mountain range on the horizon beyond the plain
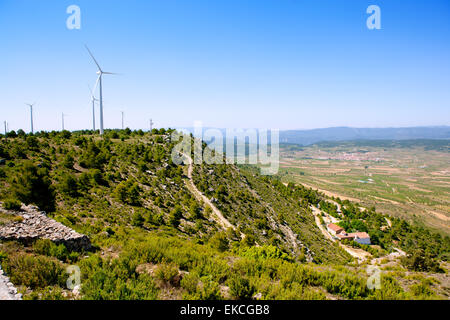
(307, 137)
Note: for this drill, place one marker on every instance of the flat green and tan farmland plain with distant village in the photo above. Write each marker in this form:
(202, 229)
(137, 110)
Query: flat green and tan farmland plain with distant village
(412, 182)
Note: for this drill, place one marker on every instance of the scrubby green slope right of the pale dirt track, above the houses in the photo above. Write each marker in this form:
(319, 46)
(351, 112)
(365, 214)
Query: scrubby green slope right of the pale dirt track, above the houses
(266, 210)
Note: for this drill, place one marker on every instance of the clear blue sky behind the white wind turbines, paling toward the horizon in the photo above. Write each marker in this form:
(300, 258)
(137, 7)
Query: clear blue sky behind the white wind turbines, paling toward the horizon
(286, 64)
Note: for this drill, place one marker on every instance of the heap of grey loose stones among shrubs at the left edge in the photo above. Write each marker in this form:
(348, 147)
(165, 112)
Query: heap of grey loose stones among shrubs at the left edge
(36, 225)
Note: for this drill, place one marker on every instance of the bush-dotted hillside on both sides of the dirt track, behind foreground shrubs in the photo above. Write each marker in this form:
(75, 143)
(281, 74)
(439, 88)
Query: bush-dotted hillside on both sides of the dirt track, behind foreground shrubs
(130, 180)
